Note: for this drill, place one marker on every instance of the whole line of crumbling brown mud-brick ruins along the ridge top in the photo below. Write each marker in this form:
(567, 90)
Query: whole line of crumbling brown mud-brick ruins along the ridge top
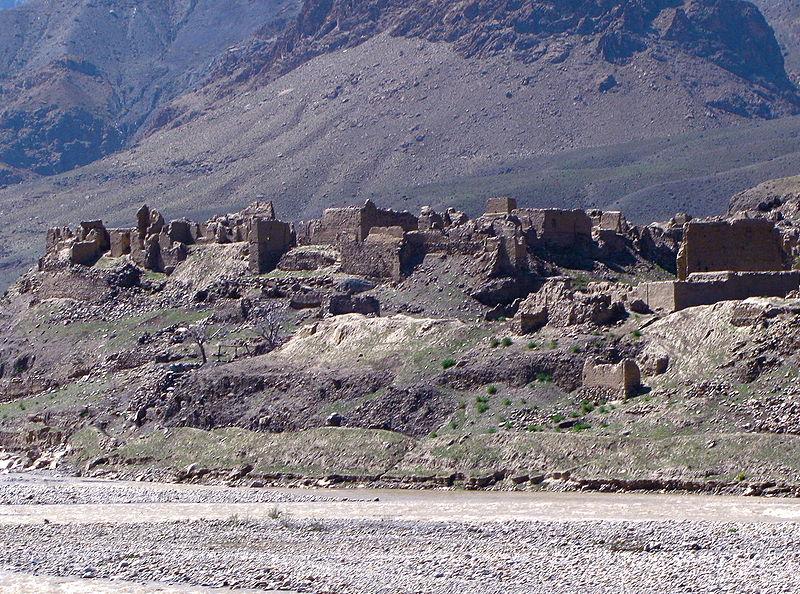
(714, 260)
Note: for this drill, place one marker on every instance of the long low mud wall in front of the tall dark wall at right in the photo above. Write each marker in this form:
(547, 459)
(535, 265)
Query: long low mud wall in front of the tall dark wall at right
(713, 287)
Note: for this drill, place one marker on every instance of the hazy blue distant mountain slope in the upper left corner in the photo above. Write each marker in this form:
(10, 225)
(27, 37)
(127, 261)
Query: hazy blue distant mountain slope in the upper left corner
(78, 78)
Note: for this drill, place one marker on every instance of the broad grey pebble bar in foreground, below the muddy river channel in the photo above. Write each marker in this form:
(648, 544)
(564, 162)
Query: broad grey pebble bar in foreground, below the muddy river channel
(374, 556)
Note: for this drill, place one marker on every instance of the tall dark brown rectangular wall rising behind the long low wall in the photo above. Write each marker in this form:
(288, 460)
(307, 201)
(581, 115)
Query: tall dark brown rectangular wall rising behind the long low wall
(739, 246)
